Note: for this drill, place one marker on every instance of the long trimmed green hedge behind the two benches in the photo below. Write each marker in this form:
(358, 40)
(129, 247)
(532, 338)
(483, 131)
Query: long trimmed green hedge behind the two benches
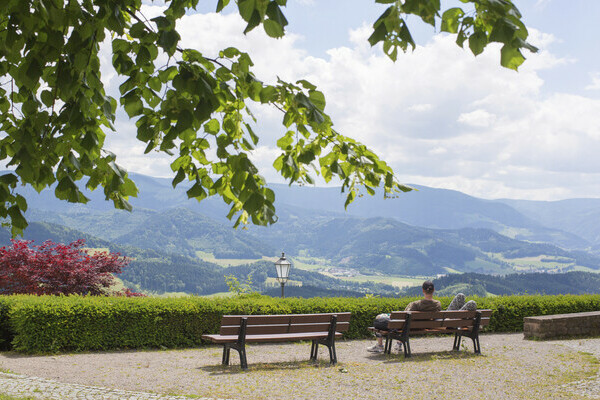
(35, 324)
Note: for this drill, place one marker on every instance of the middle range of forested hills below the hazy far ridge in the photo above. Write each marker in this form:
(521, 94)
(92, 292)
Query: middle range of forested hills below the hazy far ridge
(373, 245)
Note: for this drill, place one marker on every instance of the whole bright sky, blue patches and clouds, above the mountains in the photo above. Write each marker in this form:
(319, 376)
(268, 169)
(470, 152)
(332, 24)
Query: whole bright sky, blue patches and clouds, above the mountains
(439, 116)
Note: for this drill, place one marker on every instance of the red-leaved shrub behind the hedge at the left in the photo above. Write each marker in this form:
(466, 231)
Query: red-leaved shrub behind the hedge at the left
(55, 268)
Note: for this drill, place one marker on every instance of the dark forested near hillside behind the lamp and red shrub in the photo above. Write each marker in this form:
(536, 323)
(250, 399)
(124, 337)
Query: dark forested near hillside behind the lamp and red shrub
(160, 271)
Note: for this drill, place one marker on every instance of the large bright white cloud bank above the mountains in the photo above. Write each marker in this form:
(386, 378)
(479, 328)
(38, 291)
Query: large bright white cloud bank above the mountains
(439, 116)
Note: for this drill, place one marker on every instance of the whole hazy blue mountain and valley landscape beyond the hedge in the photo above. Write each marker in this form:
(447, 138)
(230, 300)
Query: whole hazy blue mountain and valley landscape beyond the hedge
(425, 233)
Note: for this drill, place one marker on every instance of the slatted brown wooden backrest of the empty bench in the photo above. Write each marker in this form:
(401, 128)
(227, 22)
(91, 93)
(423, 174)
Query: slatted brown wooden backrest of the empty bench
(293, 323)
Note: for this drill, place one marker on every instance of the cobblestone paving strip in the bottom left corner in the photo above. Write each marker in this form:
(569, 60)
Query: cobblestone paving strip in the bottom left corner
(20, 385)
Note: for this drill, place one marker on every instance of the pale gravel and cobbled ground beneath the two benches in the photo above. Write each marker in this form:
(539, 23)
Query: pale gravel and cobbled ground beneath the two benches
(510, 368)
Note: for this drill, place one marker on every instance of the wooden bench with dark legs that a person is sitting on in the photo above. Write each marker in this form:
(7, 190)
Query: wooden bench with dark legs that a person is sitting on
(404, 324)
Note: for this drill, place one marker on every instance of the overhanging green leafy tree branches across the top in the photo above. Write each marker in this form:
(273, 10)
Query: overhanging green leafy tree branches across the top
(54, 110)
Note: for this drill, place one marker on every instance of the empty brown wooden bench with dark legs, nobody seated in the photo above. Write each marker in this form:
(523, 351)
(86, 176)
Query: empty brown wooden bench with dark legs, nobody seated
(237, 330)
